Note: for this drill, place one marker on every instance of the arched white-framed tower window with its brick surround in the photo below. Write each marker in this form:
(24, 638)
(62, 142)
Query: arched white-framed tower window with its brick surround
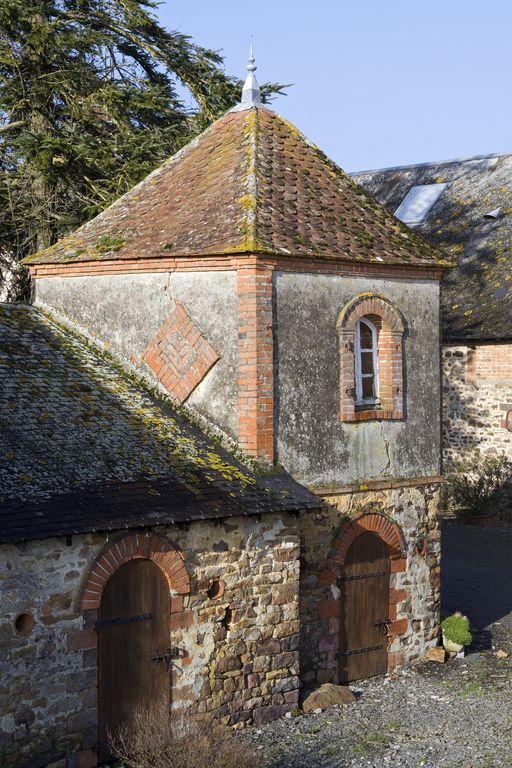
(371, 333)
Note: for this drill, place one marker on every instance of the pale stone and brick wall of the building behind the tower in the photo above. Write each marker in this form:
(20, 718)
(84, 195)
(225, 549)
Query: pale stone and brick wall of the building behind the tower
(477, 396)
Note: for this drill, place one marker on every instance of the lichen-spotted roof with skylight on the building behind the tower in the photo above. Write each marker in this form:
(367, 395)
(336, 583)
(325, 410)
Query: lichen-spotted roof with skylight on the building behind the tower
(477, 294)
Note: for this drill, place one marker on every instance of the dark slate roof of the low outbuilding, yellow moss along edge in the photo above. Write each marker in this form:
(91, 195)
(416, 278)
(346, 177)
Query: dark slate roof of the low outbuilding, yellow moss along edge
(83, 447)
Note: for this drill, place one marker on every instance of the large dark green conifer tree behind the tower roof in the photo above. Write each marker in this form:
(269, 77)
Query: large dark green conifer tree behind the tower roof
(89, 104)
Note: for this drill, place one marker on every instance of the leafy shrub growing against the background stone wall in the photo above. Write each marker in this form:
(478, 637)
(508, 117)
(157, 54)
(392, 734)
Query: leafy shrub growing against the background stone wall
(471, 487)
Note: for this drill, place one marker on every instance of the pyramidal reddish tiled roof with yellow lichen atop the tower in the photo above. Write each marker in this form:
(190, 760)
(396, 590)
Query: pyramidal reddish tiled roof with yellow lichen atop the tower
(250, 183)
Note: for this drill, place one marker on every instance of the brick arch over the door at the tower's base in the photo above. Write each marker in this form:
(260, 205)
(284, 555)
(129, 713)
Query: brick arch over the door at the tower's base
(375, 523)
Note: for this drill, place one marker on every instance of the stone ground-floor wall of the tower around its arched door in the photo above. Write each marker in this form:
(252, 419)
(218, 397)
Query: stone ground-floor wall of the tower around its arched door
(415, 575)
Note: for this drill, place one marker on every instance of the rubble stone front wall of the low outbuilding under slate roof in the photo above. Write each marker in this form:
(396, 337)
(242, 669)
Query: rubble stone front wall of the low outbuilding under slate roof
(239, 650)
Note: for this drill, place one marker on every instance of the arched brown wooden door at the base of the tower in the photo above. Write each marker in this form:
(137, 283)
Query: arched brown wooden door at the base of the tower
(364, 609)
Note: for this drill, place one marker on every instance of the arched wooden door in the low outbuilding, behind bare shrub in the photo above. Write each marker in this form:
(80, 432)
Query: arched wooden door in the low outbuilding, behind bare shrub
(133, 624)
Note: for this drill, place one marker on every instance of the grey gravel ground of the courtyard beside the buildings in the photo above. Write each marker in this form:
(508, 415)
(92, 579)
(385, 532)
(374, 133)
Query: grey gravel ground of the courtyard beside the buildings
(456, 715)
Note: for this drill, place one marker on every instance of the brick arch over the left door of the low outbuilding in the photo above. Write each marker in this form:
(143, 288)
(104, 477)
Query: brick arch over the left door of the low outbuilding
(156, 548)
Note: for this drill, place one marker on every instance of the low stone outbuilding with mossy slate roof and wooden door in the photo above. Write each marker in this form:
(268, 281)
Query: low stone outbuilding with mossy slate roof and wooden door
(99, 480)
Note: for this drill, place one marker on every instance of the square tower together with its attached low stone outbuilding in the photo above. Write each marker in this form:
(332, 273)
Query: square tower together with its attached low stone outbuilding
(249, 280)
